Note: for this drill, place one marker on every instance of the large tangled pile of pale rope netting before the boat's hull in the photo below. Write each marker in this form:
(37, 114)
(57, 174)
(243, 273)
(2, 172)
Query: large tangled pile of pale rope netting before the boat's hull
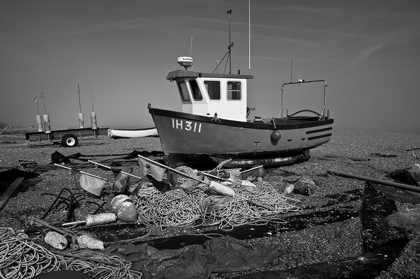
(193, 204)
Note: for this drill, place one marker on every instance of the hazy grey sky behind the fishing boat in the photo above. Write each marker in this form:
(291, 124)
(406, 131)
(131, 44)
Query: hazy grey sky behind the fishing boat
(120, 52)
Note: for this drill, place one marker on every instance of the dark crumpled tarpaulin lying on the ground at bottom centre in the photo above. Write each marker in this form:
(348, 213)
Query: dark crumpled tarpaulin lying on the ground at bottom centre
(224, 254)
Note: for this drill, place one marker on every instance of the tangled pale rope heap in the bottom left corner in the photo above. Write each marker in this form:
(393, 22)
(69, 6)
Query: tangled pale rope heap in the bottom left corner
(20, 257)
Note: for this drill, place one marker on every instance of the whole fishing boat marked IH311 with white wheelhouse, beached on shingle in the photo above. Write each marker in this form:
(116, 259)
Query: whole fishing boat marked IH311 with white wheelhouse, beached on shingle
(214, 122)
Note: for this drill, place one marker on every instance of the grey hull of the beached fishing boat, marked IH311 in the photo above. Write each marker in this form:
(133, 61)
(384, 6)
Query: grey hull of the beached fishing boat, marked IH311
(183, 133)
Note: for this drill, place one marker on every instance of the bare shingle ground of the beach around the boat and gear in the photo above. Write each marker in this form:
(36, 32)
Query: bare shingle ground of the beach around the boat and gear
(320, 243)
